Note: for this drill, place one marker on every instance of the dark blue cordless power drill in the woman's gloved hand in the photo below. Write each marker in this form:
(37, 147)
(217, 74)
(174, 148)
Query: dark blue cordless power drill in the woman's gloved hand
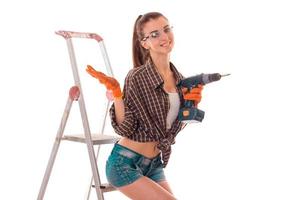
(189, 113)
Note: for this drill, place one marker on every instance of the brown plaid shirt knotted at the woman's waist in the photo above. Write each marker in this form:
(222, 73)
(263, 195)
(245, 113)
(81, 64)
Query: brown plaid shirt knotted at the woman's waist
(146, 108)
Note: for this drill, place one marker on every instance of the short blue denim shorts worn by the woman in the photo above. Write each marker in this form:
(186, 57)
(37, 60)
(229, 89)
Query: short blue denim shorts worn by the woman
(124, 166)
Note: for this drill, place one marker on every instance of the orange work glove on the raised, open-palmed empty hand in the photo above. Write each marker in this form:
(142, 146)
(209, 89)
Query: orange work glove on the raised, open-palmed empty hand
(109, 82)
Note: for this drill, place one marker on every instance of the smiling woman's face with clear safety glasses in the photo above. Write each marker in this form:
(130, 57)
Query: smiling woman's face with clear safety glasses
(159, 38)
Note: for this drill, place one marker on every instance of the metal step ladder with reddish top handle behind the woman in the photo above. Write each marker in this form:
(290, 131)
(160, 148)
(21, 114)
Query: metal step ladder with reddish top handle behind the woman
(75, 94)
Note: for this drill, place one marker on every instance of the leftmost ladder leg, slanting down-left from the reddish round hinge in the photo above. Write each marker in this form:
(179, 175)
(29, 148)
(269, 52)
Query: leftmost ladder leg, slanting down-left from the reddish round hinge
(55, 148)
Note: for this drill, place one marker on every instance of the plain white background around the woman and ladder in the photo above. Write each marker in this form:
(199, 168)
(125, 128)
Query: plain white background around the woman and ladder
(247, 147)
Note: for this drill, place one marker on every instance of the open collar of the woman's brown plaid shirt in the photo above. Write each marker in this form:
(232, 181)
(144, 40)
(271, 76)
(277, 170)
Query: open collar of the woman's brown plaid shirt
(155, 77)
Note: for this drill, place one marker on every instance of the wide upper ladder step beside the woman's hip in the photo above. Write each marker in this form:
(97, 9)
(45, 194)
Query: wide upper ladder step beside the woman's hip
(97, 139)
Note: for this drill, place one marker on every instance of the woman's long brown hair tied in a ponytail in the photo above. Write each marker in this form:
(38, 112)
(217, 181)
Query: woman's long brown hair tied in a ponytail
(139, 53)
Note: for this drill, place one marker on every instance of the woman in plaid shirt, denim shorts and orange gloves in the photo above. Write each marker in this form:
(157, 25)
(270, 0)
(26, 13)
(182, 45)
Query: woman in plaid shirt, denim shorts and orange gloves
(145, 114)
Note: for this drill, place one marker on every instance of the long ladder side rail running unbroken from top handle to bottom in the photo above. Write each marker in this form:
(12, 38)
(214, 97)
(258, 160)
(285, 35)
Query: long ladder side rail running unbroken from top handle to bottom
(85, 122)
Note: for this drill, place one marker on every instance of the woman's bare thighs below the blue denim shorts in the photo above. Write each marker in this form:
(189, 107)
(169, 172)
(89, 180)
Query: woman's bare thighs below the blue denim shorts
(146, 189)
